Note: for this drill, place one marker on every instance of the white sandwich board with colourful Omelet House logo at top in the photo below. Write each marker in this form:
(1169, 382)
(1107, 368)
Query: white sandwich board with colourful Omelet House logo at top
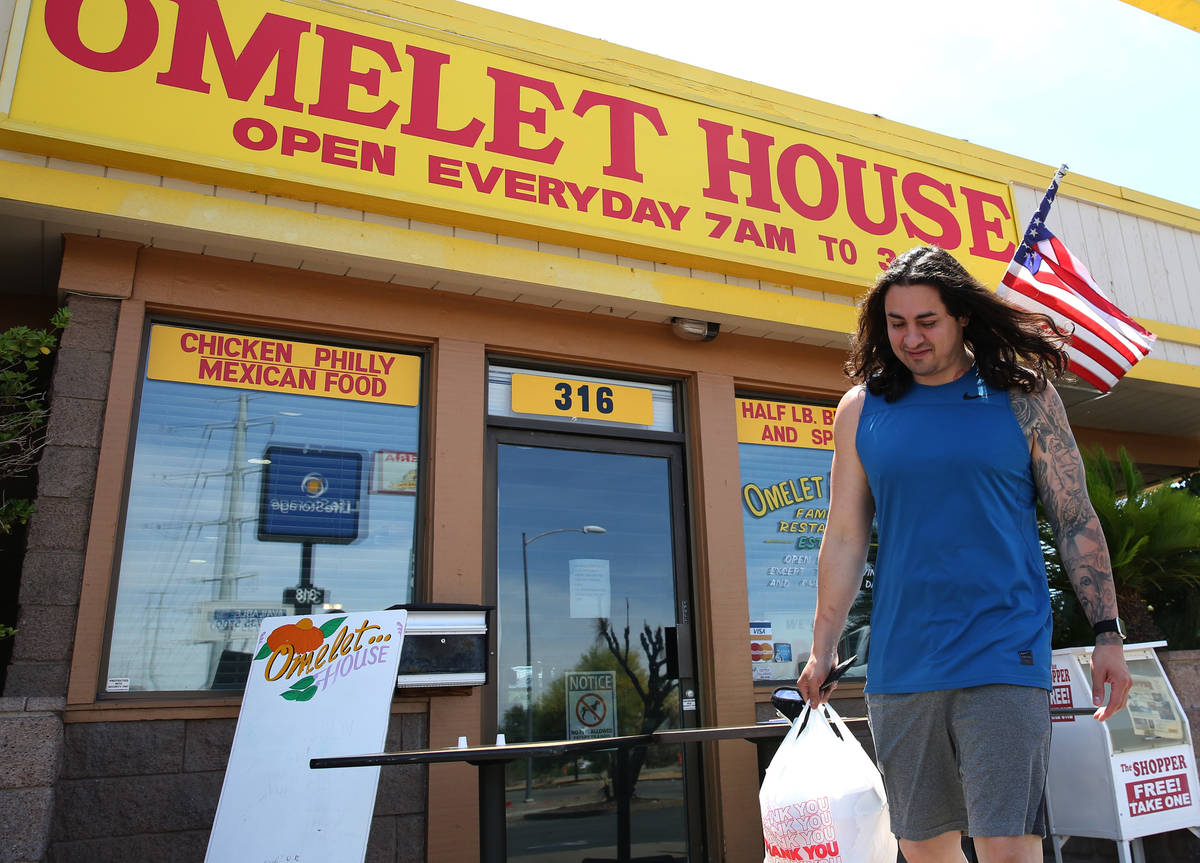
(320, 686)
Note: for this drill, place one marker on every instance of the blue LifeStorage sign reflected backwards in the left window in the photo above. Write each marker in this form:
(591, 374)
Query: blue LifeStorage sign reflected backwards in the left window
(310, 496)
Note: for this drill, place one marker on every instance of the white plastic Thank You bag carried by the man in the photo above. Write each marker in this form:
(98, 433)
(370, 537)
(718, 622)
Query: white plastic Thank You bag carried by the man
(824, 799)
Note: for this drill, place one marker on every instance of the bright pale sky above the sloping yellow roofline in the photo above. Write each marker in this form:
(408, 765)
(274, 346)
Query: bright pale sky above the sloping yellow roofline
(1105, 87)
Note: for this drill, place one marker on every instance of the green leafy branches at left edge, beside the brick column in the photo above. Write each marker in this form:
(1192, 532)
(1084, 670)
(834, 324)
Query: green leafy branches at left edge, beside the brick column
(22, 415)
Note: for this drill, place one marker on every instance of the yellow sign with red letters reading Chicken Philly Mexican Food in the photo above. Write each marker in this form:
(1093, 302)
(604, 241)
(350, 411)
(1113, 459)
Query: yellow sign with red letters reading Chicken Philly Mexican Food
(259, 363)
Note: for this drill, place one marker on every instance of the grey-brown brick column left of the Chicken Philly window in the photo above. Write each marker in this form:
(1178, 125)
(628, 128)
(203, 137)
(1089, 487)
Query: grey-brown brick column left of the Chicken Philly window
(35, 688)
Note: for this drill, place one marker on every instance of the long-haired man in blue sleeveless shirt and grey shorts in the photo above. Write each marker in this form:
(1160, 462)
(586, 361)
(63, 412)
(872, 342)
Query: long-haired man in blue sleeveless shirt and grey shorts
(951, 438)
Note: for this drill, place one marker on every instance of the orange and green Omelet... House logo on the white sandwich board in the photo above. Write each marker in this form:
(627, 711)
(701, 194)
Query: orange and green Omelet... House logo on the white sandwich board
(311, 660)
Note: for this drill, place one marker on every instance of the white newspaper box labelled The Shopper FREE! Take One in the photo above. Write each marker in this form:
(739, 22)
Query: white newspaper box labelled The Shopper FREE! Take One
(1131, 777)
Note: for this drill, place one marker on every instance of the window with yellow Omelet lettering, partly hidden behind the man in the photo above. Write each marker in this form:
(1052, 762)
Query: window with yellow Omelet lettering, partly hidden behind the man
(785, 451)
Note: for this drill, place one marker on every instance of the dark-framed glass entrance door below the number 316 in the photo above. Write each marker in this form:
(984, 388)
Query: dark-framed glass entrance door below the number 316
(593, 620)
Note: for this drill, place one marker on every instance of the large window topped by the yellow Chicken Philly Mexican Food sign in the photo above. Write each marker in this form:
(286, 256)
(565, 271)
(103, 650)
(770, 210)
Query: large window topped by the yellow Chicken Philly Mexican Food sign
(271, 477)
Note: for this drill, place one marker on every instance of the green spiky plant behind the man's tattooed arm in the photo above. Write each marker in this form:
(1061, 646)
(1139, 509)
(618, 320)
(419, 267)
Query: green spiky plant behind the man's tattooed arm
(1154, 538)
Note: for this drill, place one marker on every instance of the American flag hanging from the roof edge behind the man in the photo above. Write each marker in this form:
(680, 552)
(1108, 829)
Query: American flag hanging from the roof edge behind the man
(1046, 278)
